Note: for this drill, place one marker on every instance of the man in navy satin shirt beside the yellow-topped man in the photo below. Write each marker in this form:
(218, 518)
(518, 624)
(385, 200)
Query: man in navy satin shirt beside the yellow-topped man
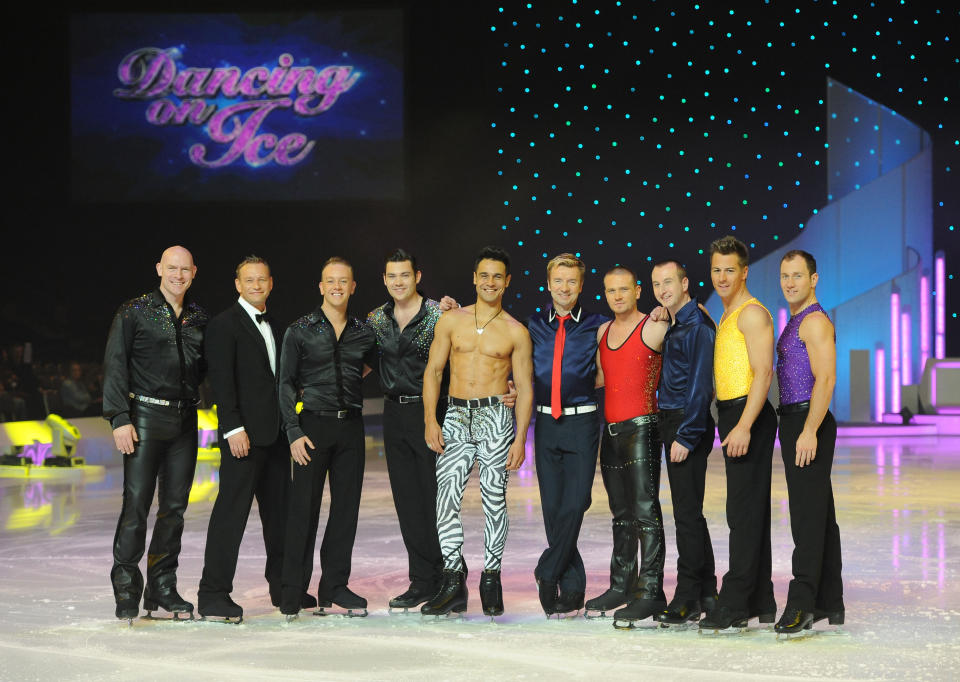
(687, 429)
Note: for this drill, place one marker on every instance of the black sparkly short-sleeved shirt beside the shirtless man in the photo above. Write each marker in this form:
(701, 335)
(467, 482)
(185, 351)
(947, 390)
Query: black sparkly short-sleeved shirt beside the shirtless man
(403, 354)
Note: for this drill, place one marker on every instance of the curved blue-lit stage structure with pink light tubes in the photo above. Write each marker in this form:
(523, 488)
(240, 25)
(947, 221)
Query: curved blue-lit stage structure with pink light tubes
(873, 242)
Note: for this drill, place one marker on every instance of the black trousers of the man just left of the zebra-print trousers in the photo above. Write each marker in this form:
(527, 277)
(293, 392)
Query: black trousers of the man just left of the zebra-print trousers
(412, 468)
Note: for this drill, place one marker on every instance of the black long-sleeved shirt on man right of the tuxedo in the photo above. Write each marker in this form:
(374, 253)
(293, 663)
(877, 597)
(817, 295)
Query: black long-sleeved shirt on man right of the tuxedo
(321, 370)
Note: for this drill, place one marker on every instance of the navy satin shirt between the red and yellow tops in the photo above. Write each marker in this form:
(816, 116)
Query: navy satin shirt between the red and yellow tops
(686, 375)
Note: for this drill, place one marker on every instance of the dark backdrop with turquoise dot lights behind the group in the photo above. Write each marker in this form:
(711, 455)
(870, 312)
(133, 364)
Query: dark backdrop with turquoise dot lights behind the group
(477, 72)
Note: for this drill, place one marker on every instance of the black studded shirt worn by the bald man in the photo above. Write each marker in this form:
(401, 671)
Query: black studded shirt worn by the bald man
(151, 352)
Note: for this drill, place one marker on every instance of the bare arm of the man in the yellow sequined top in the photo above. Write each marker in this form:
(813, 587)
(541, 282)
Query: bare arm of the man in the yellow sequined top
(757, 329)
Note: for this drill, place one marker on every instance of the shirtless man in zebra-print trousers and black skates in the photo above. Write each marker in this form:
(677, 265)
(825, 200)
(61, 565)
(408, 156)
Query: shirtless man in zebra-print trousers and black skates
(484, 345)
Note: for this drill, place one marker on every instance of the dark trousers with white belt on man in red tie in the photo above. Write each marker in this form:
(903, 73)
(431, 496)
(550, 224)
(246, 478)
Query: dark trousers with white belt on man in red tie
(566, 461)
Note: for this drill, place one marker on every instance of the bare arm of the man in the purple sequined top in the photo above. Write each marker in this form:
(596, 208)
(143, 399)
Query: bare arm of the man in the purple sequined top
(817, 333)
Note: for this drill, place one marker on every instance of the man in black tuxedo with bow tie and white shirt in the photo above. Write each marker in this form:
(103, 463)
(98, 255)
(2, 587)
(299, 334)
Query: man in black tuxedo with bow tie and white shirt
(242, 349)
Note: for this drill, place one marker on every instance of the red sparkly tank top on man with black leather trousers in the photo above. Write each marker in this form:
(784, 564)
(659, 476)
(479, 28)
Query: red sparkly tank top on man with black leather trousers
(631, 374)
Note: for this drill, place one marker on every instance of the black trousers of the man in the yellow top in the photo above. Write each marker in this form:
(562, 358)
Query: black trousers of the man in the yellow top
(747, 584)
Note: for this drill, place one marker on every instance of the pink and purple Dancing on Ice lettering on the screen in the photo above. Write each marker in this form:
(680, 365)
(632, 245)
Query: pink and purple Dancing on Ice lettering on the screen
(181, 96)
